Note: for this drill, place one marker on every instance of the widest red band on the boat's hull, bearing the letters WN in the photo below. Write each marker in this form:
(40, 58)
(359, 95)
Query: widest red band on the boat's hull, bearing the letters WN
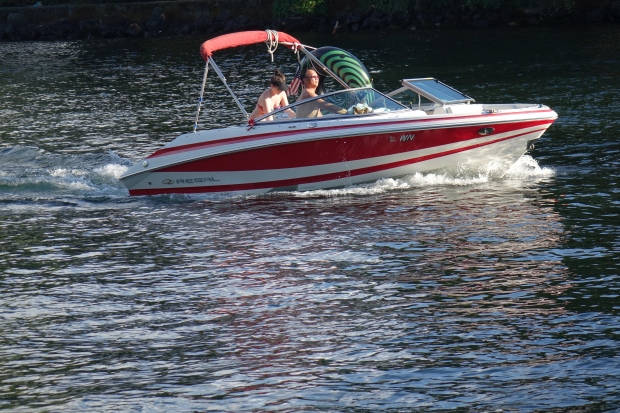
(336, 150)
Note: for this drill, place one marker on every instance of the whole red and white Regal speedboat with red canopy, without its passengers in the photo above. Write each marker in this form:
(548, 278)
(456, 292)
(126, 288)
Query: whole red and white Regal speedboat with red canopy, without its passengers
(378, 137)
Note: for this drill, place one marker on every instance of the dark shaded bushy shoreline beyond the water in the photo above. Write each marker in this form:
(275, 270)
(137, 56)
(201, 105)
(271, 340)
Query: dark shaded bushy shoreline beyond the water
(166, 18)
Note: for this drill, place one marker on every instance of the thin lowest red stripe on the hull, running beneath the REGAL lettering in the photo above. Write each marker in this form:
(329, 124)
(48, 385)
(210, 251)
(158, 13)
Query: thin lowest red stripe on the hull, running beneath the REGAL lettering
(315, 178)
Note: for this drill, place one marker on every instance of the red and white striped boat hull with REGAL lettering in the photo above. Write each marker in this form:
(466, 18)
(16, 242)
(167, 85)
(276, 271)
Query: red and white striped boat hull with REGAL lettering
(333, 154)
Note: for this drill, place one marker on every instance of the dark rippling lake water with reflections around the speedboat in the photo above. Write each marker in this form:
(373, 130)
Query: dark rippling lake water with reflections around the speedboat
(464, 292)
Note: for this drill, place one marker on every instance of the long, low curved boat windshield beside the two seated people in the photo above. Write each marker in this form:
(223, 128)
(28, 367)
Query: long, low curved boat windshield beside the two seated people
(360, 101)
